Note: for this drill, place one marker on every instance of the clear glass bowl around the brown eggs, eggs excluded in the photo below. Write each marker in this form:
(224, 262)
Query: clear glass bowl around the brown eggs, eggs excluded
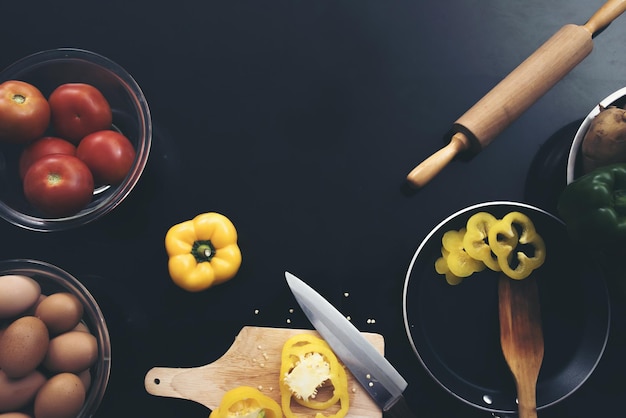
(53, 279)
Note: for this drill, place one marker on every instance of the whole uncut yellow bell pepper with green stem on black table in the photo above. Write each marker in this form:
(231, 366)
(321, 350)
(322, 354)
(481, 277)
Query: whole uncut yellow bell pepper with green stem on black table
(202, 251)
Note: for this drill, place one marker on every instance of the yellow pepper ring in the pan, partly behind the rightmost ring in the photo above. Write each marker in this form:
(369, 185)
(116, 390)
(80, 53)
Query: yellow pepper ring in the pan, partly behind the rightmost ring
(476, 241)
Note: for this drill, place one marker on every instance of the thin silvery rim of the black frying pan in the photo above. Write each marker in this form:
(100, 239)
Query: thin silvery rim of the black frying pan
(408, 326)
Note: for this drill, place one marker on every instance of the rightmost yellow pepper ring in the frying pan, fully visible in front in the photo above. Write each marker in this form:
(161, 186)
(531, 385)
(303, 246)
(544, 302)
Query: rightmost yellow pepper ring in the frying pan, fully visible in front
(501, 239)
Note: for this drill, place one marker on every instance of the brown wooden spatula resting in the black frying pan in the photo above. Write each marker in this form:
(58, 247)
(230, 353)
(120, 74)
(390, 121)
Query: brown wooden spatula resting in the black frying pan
(521, 338)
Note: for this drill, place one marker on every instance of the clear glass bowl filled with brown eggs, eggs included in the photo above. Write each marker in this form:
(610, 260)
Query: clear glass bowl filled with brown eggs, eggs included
(55, 351)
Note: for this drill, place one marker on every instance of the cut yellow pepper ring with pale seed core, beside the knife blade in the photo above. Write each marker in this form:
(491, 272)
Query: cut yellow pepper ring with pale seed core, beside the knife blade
(307, 363)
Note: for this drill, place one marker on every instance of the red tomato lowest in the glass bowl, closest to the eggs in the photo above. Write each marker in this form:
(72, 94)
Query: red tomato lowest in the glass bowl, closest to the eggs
(58, 185)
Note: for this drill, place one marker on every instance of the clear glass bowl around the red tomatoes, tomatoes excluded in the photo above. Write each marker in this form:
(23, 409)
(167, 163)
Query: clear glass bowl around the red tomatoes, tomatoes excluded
(131, 116)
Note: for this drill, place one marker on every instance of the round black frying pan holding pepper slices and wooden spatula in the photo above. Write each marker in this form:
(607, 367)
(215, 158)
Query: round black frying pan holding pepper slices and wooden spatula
(454, 330)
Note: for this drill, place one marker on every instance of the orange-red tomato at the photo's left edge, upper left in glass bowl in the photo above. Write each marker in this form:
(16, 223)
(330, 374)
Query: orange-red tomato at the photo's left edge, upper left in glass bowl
(24, 112)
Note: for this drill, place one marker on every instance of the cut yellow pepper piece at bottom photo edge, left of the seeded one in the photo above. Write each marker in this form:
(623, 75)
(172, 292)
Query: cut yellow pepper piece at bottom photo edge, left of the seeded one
(246, 402)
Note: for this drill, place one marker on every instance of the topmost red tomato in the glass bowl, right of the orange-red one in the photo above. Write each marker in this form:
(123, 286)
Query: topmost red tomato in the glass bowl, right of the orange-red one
(79, 109)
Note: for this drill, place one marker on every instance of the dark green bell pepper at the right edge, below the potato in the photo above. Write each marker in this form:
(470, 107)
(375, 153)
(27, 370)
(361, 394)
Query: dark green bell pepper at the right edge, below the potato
(593, 207)
